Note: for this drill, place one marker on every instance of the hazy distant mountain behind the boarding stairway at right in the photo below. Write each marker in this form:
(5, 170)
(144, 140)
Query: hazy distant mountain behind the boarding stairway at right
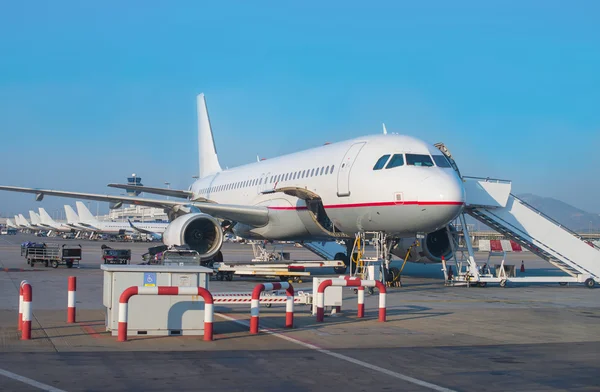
(572, 217)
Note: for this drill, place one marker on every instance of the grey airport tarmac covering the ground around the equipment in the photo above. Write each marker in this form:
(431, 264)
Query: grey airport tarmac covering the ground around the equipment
(542, 337)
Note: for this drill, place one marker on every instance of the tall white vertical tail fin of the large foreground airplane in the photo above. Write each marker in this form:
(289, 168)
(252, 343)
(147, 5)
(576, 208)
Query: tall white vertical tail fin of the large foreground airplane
(207, 152)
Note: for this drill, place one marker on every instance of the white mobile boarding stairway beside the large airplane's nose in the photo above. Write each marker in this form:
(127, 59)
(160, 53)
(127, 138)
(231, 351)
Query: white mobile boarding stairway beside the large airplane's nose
(490, 202)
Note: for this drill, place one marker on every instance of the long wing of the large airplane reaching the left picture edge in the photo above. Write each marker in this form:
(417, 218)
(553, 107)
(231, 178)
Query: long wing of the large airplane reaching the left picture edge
(250, 215)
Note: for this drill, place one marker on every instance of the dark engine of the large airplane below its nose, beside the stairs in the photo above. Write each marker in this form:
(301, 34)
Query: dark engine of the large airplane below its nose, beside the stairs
(430, 249)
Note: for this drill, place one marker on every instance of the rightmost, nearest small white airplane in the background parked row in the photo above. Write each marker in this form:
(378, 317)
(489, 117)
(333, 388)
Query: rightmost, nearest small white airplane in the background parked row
(86, 219)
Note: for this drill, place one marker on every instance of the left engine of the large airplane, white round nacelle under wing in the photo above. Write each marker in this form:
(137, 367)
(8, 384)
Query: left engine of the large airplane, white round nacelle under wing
(201, 232)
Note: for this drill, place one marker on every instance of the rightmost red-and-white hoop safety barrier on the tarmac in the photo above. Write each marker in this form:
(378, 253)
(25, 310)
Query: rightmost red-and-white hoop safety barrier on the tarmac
(352, 282)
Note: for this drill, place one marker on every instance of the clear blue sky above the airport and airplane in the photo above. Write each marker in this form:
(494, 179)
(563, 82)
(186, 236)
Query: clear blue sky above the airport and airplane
(91, 92)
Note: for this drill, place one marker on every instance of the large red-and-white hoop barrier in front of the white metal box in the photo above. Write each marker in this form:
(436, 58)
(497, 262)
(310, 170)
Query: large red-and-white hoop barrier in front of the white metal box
(166, 290)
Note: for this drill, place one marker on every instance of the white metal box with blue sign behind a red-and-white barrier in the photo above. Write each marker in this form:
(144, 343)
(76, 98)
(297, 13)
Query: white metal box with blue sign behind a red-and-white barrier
(155, 314)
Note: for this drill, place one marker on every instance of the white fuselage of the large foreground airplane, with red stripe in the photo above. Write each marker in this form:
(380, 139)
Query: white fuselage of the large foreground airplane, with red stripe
(401, 201)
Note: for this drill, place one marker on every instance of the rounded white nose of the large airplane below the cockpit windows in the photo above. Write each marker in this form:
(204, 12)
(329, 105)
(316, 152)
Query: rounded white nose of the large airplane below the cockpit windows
(442, 196)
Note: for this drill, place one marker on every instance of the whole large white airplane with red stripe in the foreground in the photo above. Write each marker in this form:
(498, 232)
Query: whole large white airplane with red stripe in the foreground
(392, 184)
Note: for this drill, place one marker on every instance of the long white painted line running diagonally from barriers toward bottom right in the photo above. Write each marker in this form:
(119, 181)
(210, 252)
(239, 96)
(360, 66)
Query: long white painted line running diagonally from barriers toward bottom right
(367, 365)
